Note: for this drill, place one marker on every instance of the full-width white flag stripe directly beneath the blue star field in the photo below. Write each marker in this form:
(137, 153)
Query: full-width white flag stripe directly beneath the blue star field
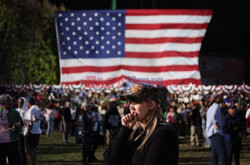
(130, 62)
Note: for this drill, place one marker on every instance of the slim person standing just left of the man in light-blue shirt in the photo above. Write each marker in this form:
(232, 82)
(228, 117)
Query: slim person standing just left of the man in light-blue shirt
(203, 113)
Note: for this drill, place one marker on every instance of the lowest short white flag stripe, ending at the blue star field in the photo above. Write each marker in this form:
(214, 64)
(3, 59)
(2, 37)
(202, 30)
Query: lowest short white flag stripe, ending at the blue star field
(162, 47)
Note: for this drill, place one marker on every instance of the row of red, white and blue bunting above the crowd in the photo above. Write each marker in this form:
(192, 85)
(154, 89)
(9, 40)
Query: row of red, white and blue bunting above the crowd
(171, 88)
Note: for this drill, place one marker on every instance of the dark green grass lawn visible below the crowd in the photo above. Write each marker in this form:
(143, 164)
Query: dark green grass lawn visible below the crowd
(51, 150)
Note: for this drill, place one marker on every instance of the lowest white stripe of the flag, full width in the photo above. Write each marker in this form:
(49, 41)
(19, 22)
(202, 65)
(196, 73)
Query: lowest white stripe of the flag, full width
(138, 75)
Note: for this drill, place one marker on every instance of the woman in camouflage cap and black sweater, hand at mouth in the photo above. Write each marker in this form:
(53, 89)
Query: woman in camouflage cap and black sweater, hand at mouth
(143, 138)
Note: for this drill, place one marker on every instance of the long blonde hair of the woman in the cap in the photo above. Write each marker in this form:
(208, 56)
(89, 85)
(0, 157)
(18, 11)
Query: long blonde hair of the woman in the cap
(152, 119)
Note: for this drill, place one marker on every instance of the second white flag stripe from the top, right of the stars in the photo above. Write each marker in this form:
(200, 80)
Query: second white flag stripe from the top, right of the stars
(164, 33)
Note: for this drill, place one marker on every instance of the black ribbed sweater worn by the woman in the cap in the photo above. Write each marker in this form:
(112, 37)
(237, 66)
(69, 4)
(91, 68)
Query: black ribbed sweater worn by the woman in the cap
(161, 148)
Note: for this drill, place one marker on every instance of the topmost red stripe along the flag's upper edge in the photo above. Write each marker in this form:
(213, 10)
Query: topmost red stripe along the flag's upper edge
(149, 12)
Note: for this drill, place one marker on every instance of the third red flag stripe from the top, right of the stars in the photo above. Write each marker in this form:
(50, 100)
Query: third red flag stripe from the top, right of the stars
(163, 40)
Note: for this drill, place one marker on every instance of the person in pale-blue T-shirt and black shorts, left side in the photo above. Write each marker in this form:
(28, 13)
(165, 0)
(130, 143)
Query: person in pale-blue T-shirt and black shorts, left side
(32, 131)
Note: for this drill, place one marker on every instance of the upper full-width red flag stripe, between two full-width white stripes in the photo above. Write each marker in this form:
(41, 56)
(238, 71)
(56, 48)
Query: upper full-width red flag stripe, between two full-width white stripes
(83, 69)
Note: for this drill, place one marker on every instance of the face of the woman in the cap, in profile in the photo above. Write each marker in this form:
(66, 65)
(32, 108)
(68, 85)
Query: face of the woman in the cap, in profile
(141, 109)
